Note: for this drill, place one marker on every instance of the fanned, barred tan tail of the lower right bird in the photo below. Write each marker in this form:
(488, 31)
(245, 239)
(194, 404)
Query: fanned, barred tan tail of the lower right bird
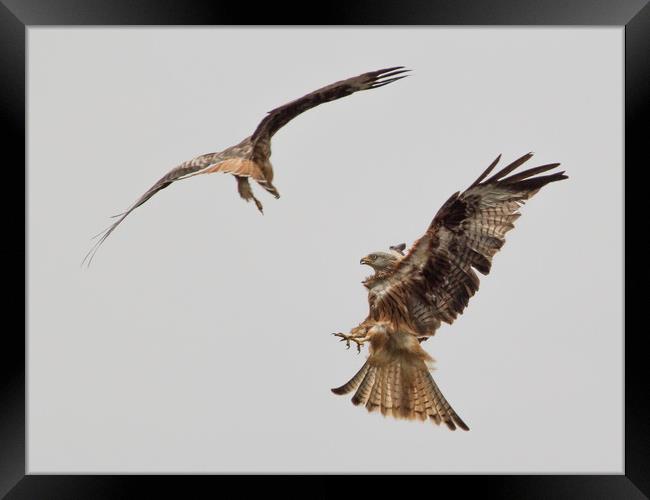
(401, 390)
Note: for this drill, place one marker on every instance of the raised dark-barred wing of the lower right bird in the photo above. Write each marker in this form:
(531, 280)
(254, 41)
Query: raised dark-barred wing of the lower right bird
(436, 278)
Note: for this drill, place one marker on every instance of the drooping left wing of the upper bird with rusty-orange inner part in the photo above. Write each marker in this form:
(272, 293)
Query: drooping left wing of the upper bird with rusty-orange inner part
(207, 163)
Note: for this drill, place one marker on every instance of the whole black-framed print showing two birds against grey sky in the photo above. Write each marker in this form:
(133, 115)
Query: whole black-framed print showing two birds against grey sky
(197, 344)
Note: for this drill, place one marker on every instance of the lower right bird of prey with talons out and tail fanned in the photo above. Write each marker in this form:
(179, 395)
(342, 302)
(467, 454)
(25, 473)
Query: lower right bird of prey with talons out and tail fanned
(410, 295)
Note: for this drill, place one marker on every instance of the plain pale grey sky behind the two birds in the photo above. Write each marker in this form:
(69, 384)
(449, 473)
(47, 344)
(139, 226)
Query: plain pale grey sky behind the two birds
(199, 340)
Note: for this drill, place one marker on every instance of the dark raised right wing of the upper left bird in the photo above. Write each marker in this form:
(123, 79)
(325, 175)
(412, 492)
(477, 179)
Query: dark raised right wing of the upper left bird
(279, 117)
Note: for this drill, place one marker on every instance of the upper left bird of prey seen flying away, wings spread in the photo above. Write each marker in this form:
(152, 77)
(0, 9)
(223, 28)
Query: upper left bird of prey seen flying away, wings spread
(250, 159)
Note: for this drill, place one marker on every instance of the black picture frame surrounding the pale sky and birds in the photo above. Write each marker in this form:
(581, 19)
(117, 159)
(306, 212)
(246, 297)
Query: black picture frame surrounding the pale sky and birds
(17, 15)
